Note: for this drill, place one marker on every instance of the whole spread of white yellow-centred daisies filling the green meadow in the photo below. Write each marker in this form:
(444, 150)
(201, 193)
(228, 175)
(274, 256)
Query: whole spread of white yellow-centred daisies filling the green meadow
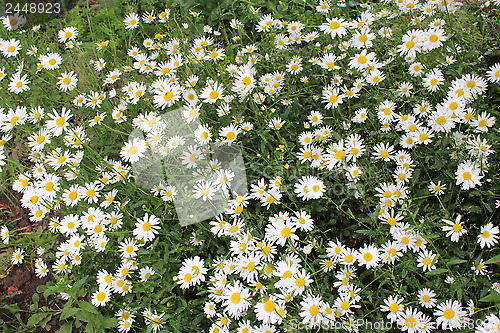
(266, 280)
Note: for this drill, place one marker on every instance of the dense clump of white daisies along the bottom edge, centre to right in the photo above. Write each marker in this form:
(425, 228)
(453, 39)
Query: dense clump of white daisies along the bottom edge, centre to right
(259, 280)
